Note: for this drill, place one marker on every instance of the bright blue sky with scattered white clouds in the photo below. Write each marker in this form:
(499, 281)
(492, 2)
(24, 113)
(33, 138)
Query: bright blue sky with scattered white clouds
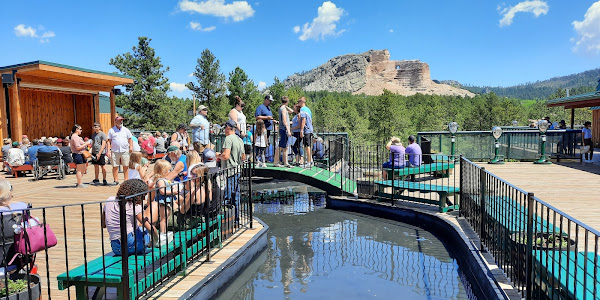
(472, 41)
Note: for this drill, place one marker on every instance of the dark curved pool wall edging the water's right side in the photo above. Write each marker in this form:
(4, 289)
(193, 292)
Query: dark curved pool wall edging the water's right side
(476, 266)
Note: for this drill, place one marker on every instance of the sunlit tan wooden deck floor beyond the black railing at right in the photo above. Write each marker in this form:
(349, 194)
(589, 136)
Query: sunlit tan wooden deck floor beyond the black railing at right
(572, 187)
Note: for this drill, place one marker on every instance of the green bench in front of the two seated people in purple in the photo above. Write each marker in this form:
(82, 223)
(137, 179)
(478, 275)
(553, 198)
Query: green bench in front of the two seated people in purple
(398, 187)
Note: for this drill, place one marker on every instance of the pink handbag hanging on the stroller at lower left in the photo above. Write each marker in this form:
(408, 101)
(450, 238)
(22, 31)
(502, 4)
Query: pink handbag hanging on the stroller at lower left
(35, 237)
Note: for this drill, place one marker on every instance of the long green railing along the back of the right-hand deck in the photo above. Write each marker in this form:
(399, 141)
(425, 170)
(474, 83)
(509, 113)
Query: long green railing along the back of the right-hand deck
(521, 145)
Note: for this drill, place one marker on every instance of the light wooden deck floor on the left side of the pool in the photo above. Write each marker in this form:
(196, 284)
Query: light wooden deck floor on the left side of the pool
(93, 242)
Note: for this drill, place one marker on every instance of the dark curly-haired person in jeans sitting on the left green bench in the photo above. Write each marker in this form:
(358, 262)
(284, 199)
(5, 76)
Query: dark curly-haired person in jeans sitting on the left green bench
(138, 226)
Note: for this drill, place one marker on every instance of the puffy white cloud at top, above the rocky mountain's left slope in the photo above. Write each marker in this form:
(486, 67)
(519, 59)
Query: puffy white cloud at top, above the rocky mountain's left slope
(324, 24)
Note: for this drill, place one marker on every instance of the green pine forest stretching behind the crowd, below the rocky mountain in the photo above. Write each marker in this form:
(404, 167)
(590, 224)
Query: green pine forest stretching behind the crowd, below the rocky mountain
(365, 118)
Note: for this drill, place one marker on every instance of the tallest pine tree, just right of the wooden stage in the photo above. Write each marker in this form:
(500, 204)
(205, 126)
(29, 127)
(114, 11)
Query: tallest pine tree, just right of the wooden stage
(146, 103)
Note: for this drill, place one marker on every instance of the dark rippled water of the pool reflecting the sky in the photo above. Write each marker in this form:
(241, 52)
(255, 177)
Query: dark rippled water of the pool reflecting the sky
(318, 253)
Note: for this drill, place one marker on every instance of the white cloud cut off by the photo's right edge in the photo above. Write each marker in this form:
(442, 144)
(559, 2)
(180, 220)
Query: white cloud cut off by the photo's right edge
(588, 31)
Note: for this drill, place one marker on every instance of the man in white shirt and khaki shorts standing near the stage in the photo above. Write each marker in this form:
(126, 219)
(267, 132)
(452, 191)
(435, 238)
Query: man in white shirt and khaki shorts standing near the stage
(120, 145)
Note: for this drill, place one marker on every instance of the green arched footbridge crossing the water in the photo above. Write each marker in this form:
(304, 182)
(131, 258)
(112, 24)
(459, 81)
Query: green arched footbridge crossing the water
(331, 182)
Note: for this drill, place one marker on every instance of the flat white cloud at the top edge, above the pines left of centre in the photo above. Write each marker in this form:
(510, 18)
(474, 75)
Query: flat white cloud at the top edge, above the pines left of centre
(237, 10)
